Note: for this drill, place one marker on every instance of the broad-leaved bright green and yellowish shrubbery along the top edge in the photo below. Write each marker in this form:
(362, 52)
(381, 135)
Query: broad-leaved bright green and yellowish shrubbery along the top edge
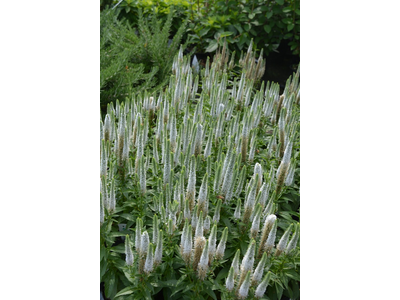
(212, 21)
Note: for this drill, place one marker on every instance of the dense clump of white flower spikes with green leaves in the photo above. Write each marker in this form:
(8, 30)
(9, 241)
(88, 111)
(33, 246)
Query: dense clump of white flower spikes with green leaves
(199, 186)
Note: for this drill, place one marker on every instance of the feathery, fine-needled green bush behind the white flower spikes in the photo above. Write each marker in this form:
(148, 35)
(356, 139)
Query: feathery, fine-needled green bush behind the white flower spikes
(135, 59)
